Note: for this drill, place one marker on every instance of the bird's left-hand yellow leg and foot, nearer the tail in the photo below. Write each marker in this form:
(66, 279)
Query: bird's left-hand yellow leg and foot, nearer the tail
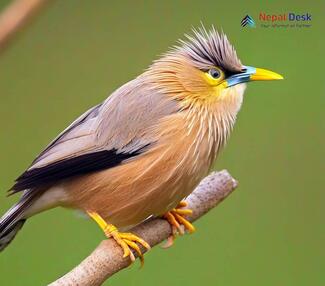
(127, 241)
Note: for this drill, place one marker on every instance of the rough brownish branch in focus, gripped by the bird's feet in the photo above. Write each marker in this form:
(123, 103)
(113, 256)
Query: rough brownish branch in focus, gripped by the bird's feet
(107, 258)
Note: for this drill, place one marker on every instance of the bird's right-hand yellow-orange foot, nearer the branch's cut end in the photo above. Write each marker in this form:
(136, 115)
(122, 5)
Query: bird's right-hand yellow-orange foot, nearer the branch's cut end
(178, 222)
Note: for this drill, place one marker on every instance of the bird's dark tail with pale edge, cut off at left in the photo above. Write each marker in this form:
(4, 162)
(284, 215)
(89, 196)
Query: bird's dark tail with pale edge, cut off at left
(13, 220)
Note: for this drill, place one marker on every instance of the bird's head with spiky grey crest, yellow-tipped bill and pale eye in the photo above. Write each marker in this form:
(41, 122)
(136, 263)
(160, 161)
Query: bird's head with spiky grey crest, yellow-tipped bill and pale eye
(205, 68)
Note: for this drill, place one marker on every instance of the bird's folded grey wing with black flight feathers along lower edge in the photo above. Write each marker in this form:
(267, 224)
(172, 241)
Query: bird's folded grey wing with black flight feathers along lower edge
(105, 136)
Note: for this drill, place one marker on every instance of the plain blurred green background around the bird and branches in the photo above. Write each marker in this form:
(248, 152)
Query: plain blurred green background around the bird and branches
(269, 232)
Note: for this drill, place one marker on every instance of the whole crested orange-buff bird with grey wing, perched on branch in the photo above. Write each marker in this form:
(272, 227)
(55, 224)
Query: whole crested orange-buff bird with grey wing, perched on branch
(140, 152)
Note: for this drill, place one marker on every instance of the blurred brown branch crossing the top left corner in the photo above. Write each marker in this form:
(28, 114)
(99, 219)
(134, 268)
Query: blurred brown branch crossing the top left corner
(15, 16)
